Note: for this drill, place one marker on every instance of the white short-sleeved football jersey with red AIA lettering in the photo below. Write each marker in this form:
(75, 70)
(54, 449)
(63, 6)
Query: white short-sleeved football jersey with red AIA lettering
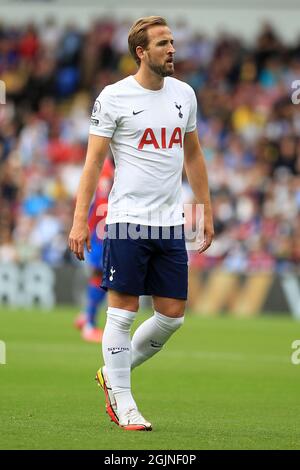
(147, 129)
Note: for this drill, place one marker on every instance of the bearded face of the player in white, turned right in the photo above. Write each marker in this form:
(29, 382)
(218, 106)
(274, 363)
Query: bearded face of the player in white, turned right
(159, 55)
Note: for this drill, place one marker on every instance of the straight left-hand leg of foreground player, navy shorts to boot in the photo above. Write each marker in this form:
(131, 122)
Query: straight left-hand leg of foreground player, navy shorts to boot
(124, 270)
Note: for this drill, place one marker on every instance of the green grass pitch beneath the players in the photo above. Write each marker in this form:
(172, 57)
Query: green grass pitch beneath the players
(220, 383)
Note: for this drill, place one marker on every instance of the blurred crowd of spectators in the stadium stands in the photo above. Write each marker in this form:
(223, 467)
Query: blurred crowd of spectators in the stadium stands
(248, 126)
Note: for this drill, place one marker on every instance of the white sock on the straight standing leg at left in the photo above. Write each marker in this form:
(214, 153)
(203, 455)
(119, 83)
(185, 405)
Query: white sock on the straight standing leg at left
(116, 348)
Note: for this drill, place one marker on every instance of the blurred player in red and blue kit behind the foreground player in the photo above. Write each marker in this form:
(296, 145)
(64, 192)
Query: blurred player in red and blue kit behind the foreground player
(87, 321)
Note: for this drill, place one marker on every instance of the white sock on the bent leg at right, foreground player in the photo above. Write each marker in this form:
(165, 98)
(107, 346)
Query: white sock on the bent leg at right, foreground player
(151, 335)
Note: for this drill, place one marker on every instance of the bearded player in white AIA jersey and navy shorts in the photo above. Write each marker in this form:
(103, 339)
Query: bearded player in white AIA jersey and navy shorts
(149, 121)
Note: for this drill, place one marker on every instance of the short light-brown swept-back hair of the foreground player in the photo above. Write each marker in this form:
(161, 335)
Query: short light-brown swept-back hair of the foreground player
(138, 35)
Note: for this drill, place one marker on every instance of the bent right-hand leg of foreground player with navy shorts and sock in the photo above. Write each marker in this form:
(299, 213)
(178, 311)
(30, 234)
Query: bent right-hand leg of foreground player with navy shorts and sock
(167, 282)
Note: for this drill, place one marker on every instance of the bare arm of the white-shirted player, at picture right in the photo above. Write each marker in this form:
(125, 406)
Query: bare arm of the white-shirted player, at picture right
(197, 175)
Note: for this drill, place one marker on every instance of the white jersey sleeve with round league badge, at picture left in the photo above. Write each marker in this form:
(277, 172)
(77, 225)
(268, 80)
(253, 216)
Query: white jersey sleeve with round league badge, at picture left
(104, 115)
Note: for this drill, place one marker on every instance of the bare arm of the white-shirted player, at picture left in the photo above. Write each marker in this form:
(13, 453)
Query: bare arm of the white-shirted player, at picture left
(96, 153)
